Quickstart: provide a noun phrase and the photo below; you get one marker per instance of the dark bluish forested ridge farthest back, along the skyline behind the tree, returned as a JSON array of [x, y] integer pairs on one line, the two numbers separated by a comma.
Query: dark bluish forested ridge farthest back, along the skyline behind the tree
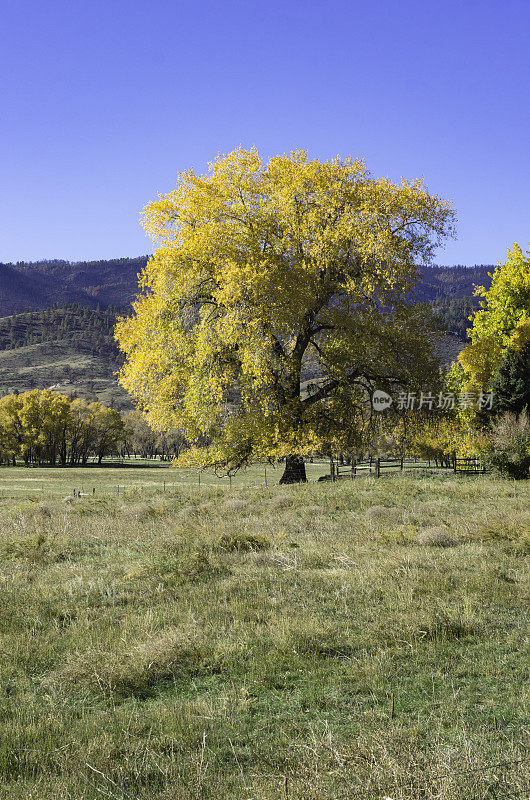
[[42, 284]]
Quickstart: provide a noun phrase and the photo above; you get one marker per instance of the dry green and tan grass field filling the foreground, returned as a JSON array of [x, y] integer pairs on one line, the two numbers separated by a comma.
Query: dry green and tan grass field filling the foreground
[[349, 640]]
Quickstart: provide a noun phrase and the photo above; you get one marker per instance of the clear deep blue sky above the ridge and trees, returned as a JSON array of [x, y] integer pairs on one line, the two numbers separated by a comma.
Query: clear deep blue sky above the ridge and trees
[[104, 102]]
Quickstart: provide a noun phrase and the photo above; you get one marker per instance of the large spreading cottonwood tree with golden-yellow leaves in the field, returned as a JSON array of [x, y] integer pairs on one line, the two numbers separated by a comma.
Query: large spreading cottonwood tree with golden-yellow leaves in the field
[[263, 271]]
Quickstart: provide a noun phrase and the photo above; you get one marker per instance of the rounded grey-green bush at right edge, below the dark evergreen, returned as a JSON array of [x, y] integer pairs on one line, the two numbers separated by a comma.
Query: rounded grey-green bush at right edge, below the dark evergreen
[[508, 449]]
